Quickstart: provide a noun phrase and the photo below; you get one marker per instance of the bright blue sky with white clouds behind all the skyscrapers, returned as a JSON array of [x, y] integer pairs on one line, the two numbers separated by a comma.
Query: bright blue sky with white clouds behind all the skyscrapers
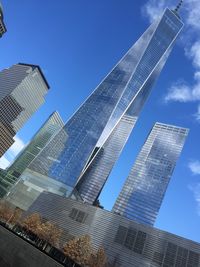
[[76, 43]]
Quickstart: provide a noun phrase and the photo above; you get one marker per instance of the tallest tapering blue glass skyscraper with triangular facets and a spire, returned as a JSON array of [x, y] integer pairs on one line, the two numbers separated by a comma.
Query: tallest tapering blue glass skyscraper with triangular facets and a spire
[[95, 120]]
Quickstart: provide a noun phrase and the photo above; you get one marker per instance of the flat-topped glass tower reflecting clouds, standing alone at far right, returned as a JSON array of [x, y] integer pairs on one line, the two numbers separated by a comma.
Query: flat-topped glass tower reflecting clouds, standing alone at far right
[[142, 194]]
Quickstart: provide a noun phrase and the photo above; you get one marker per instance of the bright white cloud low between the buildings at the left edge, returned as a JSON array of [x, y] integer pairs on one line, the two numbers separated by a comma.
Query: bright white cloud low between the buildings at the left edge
[[12, 152]]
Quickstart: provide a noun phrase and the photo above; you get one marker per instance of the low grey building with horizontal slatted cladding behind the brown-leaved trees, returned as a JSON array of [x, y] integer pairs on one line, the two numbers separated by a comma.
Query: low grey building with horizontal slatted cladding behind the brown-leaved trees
[[127, 243]]
